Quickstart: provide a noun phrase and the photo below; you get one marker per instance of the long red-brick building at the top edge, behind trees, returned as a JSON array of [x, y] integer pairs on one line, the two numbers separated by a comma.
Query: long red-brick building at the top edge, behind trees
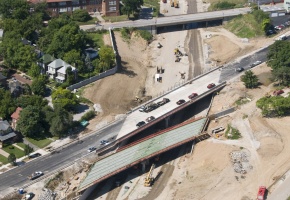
[[107, 7]]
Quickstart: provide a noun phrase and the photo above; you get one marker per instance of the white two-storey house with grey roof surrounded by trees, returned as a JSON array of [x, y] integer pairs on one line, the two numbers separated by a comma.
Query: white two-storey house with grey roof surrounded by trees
[[57, 70]]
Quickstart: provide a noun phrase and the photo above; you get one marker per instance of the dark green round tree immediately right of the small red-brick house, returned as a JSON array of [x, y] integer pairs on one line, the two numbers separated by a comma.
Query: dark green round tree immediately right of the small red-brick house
[[30, 122]]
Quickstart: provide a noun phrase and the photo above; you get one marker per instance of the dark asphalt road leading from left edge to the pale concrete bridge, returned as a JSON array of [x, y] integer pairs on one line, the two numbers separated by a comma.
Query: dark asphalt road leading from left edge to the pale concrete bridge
[[17, 177]]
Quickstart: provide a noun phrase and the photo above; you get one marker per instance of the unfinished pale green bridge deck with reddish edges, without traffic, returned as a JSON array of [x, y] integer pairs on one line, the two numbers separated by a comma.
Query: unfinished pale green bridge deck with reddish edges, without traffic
[[132, 155]]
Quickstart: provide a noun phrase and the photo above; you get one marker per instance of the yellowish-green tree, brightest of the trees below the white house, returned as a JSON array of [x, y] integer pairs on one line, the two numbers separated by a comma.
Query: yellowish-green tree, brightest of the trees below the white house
[[64, 98]]
